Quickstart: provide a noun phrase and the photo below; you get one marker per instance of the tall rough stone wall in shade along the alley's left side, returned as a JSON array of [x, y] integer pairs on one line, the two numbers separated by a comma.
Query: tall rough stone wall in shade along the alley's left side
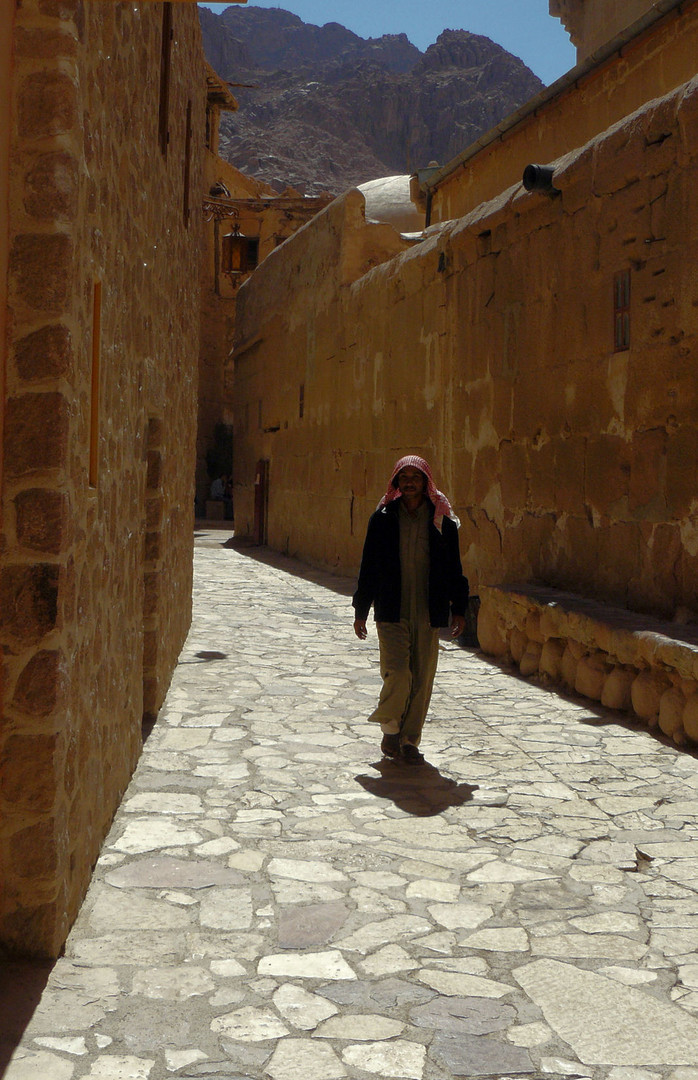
[[98, 496]]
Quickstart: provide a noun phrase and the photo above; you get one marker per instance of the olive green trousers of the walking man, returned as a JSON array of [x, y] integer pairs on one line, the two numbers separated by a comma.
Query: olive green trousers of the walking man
[[409, 657]]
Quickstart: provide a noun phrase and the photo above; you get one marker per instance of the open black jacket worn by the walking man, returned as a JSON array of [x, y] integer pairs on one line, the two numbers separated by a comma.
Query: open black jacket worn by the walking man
[[380, 575]]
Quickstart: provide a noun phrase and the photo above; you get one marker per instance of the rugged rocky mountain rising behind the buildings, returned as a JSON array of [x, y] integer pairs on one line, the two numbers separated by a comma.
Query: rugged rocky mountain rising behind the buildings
[[326, 110]]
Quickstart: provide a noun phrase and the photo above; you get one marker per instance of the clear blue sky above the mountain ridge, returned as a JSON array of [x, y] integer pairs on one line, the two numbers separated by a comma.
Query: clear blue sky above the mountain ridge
[[525, 28]]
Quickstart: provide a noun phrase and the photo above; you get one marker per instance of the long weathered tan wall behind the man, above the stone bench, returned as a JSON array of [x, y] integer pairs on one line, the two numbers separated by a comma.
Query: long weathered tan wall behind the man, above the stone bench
[[490, 349]]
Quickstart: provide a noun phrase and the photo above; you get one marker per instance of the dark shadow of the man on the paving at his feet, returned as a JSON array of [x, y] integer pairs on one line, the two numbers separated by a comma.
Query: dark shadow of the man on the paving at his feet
[[419, 790]]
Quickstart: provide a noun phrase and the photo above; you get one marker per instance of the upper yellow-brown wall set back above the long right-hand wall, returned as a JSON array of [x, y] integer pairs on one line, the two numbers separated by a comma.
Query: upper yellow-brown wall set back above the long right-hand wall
[[650, 67]]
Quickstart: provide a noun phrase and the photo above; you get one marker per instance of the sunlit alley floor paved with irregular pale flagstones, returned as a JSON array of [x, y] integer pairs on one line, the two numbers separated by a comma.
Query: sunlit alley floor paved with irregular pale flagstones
[[276, 901]]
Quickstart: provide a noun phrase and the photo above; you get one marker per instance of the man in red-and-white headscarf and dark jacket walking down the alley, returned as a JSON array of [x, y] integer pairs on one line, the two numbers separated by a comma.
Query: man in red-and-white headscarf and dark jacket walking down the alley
[[411, 573]]
